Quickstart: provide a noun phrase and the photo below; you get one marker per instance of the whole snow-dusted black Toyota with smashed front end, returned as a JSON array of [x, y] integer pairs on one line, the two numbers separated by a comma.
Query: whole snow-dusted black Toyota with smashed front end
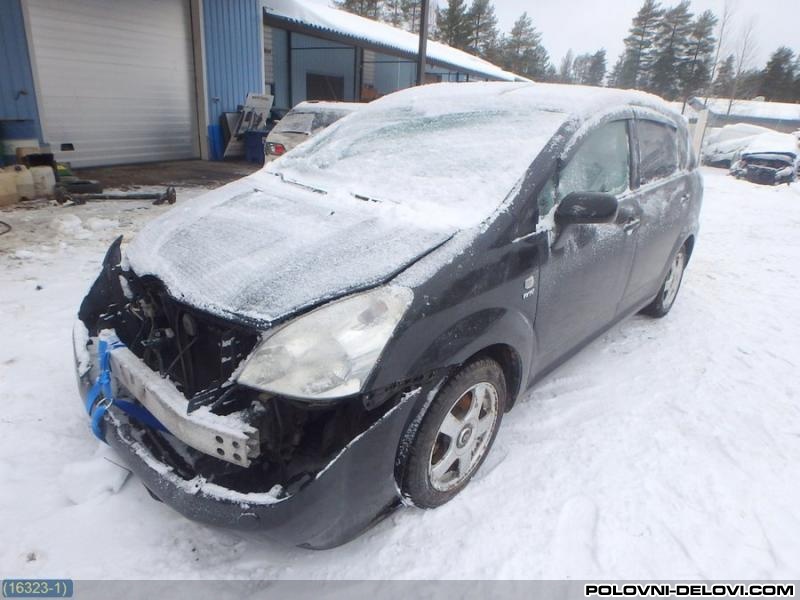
[[305, 349]]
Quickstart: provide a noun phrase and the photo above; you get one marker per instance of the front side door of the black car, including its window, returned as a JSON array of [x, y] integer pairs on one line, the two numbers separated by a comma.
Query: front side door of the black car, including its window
[[583, 276]]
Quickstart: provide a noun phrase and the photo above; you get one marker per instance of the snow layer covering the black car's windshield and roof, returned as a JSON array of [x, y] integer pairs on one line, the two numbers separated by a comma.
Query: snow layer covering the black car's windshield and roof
[[447, 154]]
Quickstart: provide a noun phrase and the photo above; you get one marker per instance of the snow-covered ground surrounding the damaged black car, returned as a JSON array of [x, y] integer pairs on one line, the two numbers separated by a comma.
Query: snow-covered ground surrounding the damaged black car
[[667, 449]]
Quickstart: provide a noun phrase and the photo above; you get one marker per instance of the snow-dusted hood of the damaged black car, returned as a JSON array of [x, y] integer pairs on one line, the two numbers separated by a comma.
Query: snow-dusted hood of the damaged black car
[[260, 249]]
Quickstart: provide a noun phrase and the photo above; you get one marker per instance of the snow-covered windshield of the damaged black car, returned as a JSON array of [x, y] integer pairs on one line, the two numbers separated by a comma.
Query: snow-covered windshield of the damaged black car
[[457, 162]]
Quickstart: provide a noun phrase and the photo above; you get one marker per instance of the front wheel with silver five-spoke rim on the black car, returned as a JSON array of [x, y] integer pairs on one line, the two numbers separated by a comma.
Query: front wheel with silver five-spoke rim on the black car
[[455, 434]]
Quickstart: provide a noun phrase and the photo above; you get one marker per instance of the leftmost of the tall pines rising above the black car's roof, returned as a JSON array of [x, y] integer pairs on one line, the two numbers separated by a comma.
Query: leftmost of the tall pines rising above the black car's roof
[[635, 67]]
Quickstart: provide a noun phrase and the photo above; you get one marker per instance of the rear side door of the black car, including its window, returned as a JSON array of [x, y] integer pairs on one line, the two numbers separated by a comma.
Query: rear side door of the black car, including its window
[[663, 196]]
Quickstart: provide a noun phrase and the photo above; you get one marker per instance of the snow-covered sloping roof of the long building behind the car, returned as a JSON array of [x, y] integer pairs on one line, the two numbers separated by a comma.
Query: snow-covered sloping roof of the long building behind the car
[[340, 22]]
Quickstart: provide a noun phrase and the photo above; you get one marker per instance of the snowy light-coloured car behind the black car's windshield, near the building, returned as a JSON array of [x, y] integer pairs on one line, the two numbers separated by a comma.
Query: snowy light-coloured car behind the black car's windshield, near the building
[[304, 121]]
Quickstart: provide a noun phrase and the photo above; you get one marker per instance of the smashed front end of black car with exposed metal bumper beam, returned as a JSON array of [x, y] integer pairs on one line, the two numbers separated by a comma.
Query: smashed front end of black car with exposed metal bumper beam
[[312, 473]]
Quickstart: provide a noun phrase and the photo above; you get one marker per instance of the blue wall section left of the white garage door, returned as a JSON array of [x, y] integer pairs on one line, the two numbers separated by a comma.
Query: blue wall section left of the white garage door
[[18, 114]]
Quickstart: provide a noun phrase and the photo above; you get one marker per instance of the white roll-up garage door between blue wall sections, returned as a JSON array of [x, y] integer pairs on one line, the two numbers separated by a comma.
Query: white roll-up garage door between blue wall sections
[[116, 79]]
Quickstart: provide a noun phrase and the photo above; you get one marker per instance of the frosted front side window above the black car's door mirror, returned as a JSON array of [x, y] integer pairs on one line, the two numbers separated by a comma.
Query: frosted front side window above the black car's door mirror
[[601, 164]]
